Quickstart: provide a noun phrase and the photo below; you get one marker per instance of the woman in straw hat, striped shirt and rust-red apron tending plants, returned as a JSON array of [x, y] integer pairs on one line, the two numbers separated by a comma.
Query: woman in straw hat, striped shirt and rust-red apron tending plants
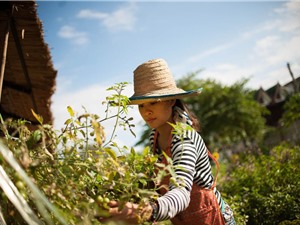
[[197, 201]]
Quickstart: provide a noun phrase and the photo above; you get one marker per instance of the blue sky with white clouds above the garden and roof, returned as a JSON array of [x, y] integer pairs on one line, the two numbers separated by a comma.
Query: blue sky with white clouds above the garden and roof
[[99, 43]]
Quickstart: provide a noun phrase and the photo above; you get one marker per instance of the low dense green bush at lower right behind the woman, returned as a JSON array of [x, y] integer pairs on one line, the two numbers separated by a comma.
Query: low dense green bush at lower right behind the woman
[[266, 188]]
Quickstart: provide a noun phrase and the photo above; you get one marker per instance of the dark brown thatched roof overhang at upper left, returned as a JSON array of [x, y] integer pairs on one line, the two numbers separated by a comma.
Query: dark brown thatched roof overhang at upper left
[[28, 76]]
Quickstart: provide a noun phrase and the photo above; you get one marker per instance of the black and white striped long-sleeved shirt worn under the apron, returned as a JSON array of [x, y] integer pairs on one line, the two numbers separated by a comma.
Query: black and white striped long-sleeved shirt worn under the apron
[[189, 153]]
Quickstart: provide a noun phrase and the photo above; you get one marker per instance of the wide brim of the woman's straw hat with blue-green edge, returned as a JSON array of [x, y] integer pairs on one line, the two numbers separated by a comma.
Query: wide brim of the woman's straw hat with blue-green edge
[[136, 100]]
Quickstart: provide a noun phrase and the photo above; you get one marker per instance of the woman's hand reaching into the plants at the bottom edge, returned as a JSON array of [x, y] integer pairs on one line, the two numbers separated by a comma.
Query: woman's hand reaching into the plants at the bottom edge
[[130, 213]]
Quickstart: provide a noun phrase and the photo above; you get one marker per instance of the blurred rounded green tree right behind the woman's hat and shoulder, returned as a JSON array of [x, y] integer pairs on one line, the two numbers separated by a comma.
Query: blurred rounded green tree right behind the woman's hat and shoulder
[[228, 114]]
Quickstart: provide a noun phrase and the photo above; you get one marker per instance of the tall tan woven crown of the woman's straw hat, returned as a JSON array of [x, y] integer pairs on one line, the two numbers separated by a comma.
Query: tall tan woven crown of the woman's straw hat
[[154, 78]]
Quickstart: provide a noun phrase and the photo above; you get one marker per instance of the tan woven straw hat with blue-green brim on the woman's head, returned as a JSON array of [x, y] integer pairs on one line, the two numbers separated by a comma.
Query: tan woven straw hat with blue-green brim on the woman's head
[[153, 81]]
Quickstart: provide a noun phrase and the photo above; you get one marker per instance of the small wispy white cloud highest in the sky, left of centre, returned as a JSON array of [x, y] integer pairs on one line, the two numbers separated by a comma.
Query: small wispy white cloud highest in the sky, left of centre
[[120, 19]]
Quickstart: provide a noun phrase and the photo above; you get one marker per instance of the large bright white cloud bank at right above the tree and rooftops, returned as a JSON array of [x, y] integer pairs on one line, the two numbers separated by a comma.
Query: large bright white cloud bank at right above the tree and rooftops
[[271, 47]]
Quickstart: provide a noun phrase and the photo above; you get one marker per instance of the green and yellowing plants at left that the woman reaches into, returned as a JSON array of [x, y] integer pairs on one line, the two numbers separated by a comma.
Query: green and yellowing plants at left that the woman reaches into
[[77, 169]]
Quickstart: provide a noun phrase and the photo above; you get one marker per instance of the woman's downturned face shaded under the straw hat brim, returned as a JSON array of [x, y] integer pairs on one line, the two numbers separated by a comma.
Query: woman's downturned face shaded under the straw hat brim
[[157, 114]]
